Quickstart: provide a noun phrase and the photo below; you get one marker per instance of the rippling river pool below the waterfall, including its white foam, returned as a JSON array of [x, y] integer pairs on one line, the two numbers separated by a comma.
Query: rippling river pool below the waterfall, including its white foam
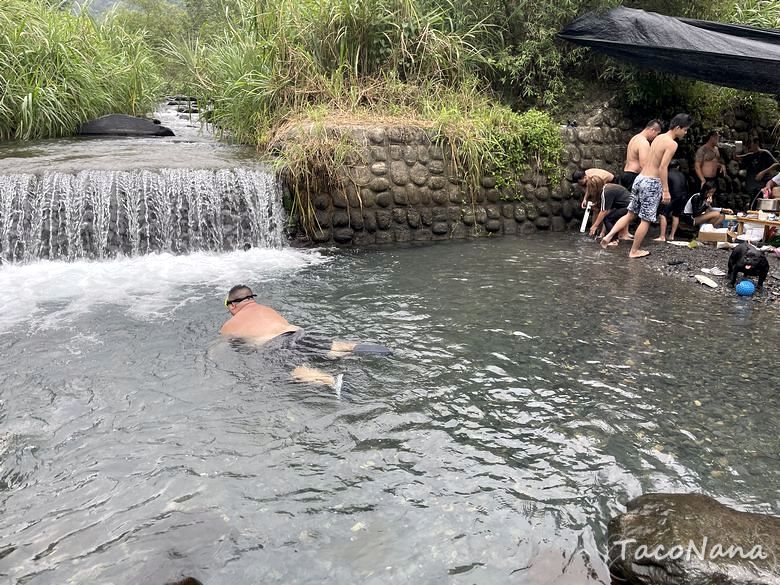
[[536, 385]]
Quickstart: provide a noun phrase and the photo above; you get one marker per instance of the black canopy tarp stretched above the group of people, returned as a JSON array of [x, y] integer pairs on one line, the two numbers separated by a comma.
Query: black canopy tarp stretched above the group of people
[[731, 55]]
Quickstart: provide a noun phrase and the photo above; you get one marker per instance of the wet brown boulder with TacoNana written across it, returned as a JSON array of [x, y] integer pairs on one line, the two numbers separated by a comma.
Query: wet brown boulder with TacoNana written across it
[[692, 539]]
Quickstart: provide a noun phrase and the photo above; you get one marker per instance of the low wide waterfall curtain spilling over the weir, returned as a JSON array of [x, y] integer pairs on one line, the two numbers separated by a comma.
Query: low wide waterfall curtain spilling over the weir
[[101, 214]]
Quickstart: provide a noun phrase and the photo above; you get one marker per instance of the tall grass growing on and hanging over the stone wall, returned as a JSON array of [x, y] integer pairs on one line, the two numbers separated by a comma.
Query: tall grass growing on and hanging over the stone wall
[[365, 61]]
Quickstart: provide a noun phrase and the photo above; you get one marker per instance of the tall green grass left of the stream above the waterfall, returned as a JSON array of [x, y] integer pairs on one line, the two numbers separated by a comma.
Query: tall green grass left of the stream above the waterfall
[[58, 70]]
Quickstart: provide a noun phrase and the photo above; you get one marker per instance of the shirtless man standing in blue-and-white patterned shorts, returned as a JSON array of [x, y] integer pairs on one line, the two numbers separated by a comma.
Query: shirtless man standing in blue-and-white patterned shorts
[[651, 186]]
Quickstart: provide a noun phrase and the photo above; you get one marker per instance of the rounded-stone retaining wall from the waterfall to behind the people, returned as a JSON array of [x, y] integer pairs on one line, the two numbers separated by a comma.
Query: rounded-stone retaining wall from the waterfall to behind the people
[[401, 187]]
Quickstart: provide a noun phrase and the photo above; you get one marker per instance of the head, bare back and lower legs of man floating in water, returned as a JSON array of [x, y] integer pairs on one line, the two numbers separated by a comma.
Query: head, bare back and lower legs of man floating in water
[[258, 324]]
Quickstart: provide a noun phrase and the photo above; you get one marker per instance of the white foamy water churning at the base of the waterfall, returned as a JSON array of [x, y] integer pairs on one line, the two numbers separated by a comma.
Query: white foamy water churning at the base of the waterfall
[[49, 294]]
